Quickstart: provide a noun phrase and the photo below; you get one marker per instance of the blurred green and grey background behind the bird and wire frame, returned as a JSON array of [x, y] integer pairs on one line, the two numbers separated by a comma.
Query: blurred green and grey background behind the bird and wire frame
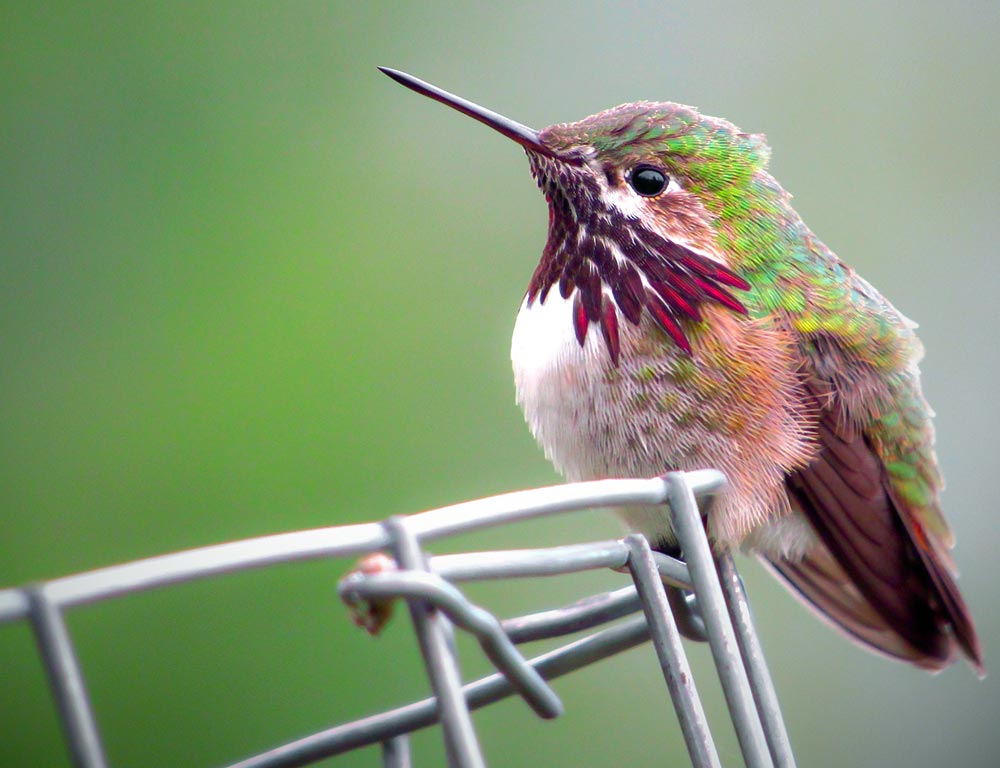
[[250, 285]]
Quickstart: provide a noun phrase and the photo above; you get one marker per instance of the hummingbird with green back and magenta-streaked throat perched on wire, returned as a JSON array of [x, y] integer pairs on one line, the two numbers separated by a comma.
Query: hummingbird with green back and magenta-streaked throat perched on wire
[[682, 316]]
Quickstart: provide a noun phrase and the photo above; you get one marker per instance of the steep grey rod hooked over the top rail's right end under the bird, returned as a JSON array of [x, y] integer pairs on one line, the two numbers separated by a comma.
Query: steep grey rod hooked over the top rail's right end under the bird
[[721, 637]]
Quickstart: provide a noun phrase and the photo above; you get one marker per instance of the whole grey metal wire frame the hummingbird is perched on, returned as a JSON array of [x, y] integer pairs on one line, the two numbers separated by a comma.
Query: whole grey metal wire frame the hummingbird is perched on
[[719, 612]]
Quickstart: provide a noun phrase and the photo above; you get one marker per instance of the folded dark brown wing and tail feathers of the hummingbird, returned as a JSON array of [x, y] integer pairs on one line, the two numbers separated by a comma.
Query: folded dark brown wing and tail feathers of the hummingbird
[[873, 552]]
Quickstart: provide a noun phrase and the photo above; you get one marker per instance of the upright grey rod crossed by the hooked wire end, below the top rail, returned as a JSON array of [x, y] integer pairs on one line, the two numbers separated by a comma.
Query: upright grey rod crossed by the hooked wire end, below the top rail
[[439, 659]]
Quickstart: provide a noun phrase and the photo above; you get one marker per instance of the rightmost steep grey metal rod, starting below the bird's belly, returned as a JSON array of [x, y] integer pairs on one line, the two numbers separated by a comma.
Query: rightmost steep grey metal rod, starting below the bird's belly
[[761, 683]]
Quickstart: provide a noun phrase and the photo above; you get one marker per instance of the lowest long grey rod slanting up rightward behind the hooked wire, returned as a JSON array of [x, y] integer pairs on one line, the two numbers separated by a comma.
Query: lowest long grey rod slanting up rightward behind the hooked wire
[[421, 714]]
